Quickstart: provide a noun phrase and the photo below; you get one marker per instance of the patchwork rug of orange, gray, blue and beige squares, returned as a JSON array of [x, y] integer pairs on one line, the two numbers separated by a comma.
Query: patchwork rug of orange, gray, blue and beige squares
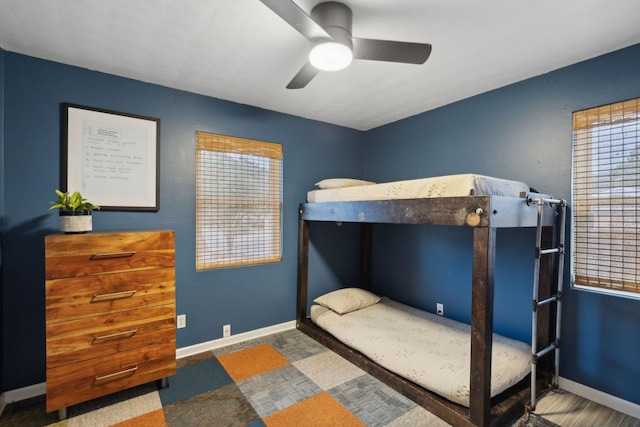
[[281, 380]]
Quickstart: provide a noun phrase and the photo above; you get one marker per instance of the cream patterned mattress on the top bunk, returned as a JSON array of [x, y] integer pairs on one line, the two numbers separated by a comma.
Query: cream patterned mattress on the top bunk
[[441, 186]]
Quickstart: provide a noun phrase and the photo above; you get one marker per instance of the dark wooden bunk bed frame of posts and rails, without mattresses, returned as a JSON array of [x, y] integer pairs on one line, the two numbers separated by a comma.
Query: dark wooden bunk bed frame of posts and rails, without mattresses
[[485, 214]]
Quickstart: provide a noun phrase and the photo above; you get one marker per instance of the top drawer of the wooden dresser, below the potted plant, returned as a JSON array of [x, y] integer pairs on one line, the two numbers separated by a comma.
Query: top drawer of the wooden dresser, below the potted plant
[[71, 255]]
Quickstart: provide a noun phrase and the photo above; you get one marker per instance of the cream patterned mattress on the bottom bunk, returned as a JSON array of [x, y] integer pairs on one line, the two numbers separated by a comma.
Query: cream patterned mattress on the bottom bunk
[[429, 350]]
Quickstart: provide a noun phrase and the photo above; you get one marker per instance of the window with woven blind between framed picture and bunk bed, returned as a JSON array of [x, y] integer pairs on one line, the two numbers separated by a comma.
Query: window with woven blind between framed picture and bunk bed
[[238, 201]]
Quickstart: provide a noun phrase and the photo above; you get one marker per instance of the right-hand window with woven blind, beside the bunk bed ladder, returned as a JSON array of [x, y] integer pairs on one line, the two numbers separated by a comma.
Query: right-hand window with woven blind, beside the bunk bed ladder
[[606, 192]]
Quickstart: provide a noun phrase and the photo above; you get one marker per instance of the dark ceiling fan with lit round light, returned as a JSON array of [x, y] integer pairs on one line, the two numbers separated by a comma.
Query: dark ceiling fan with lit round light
[[328, 27]]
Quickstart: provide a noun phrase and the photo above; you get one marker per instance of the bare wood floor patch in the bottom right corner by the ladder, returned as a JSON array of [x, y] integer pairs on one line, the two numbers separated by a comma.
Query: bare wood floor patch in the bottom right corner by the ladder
[[568, 410]]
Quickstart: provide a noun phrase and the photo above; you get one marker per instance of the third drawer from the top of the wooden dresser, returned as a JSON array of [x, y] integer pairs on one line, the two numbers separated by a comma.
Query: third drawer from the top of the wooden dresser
[[91, 337]]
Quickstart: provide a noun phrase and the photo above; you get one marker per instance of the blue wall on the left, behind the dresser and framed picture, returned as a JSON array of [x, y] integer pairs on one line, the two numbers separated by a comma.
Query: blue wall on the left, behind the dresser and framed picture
[[247, 298]]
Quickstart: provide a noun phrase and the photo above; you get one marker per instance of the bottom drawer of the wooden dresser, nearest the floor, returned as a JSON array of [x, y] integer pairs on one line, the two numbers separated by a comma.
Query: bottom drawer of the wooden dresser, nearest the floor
[[78, 382]]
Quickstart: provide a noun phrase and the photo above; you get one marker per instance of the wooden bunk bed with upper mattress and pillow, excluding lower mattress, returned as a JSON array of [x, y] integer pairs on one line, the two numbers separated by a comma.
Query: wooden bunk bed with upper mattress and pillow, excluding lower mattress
[[484, 204]]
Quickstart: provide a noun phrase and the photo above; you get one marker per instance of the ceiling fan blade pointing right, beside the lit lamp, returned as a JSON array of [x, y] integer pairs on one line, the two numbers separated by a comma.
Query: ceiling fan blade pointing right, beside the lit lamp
[[391, 51]]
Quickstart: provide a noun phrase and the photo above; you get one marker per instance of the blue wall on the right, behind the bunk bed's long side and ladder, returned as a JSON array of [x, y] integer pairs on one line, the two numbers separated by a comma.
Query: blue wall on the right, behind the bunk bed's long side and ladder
[[521, 132]]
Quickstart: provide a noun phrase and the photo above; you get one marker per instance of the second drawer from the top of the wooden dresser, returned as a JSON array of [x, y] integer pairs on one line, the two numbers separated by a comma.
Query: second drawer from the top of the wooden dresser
[[67, 299]]
